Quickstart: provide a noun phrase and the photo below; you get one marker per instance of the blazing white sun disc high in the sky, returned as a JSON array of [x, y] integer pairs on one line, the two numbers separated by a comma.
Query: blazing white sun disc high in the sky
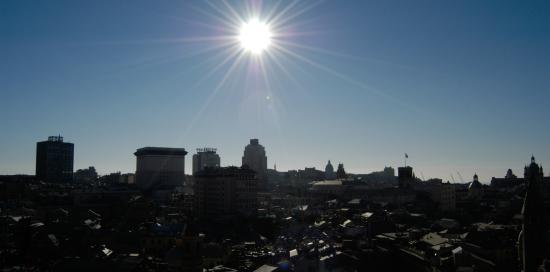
[[255, 36]]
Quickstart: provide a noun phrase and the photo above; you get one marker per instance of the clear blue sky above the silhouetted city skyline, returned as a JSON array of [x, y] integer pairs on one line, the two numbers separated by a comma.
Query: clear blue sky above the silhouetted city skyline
[[461, 86]]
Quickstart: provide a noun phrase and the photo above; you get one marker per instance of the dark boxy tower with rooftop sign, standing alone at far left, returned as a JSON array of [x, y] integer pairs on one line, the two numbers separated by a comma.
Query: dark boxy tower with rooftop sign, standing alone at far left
[[54, 160]]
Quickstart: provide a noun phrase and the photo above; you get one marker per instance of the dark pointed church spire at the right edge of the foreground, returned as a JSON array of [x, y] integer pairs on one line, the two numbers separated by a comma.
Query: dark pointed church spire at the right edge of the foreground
[[532, 238]]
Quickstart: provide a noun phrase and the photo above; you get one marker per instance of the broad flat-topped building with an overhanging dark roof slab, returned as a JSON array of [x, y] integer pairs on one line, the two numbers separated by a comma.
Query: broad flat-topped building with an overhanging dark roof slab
[[160, 167]]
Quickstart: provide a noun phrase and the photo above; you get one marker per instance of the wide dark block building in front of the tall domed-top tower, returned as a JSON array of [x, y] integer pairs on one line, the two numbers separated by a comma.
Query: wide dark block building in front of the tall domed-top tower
[[225, 192]]
